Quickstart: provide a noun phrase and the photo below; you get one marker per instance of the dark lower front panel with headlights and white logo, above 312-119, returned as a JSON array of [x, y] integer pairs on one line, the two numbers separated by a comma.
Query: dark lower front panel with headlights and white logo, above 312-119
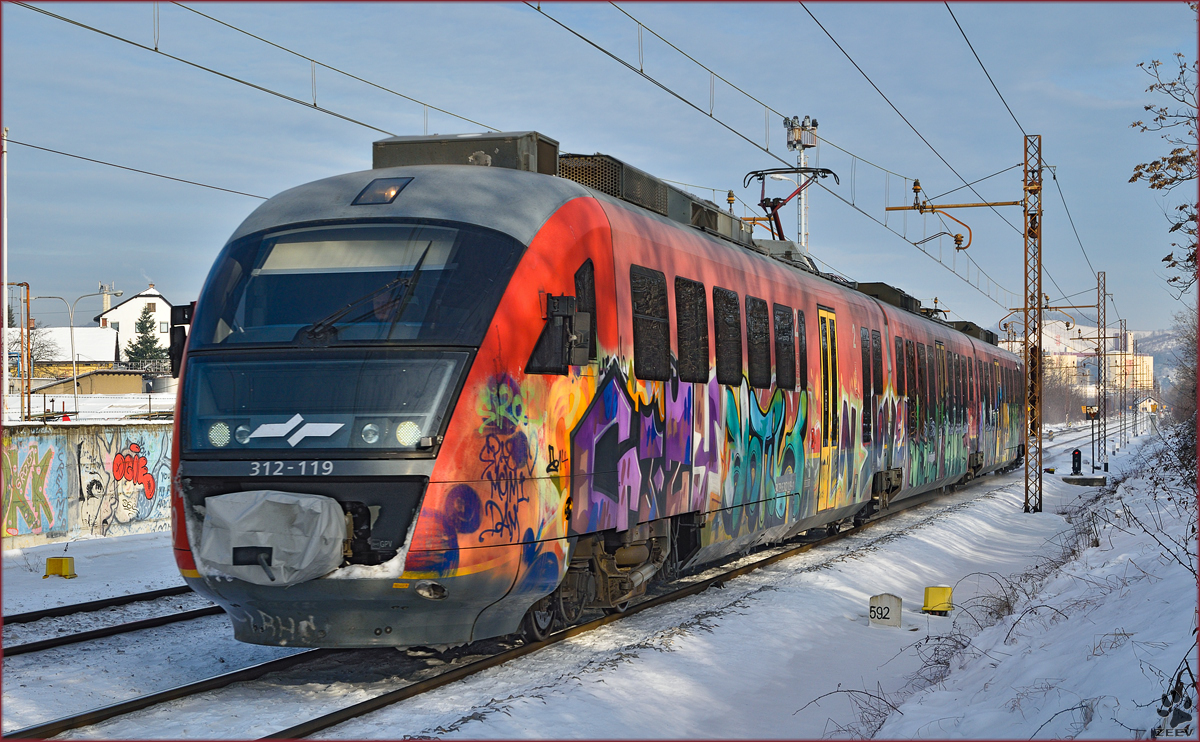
[[332, 400]]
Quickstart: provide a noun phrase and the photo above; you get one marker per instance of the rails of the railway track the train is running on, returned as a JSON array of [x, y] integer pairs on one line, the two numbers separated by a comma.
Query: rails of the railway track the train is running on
[[453, 674]]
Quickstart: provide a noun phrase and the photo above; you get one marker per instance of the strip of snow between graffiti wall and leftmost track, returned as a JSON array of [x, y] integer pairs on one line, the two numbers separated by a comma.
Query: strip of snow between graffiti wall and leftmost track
[[106, 567]]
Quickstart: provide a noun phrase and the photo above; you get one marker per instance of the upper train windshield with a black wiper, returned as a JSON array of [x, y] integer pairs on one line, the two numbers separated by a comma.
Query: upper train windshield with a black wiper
[[365, 283]]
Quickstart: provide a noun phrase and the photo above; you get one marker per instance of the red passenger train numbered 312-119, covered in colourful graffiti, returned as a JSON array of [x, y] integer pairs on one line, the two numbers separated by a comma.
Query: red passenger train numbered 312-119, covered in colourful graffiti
[[485, 386]]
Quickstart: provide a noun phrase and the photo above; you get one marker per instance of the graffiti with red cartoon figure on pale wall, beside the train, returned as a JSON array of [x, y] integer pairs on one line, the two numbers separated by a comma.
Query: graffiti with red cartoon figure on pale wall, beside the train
[[123, 481]]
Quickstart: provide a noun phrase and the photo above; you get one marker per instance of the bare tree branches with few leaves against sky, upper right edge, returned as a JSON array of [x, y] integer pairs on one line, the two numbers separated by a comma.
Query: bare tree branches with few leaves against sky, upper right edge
[[1177, 122]]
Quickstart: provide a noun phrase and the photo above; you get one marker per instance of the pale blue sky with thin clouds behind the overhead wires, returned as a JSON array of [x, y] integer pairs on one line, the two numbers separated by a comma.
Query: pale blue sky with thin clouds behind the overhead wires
[[1069, 73]]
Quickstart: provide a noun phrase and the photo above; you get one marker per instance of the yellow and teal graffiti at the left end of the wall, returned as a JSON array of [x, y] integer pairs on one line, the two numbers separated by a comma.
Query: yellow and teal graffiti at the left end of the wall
[[35, 492]]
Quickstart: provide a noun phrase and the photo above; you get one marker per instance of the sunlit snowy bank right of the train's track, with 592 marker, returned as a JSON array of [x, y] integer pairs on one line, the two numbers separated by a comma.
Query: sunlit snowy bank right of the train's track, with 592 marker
[[753, 662]]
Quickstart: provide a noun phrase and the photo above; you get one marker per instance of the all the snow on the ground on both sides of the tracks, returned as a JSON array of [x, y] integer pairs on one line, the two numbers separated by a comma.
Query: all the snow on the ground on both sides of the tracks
[[787, 651]]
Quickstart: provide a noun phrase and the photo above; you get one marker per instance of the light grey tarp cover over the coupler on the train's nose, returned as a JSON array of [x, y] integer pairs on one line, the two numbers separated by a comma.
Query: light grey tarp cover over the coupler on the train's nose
[[272, 538]]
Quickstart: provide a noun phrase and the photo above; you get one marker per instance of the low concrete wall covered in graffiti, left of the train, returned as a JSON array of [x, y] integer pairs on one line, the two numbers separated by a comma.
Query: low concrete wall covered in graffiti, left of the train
[[73, 481]]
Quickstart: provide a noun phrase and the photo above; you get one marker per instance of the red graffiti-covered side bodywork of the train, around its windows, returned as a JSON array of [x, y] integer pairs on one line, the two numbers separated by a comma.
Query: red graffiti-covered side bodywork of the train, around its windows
[[544, 458]]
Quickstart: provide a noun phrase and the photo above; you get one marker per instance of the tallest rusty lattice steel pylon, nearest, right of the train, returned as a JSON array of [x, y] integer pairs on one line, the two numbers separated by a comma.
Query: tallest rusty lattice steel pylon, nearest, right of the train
[[1033, 207]]
